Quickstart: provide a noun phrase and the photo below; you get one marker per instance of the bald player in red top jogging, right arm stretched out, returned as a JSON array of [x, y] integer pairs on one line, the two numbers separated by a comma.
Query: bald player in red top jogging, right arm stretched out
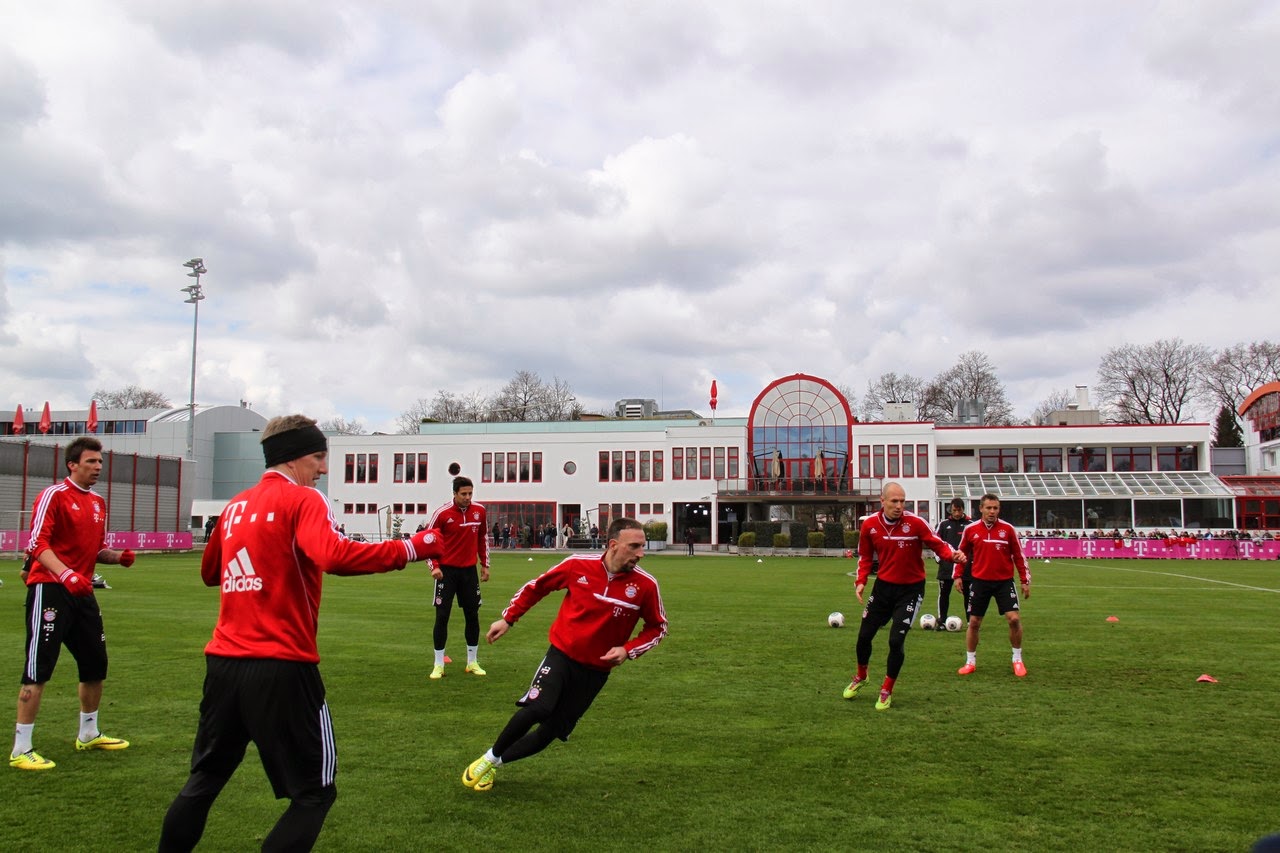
[[898, 539]]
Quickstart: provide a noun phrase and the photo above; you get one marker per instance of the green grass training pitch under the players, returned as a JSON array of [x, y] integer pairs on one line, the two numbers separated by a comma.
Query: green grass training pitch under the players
[[732, 736]]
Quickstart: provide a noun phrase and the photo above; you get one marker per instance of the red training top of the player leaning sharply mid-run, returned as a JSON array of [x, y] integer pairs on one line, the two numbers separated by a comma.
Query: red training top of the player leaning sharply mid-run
[[598, 612]]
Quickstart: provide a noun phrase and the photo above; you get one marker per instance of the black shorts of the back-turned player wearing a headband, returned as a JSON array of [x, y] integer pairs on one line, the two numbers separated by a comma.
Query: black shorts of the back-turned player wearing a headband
[[281, 708]]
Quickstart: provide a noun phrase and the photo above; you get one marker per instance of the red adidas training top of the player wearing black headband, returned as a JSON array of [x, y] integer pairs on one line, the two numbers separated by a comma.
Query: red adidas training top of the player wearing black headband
[[272, 548]]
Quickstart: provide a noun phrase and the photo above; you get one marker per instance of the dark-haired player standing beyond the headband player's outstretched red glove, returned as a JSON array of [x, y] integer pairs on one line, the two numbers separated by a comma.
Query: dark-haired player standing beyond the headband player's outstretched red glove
[[467, 540]]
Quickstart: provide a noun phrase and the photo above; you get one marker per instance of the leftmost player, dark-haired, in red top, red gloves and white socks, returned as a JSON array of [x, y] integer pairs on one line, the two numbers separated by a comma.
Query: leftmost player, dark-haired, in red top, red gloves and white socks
[[68, 536]]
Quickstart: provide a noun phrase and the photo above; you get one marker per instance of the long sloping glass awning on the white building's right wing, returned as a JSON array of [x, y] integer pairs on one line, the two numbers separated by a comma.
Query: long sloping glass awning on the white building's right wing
[[1080, 485]]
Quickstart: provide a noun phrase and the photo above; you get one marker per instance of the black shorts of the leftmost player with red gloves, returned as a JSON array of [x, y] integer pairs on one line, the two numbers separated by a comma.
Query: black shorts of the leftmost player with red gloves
[[57, 618]]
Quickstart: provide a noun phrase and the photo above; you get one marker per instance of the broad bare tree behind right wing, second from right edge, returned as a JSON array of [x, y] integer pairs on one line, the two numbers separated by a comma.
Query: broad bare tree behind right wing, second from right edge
[[1156, 384]]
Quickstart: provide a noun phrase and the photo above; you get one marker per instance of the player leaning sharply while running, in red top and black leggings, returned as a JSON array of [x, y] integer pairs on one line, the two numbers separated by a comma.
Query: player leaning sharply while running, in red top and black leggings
[[606, 597]]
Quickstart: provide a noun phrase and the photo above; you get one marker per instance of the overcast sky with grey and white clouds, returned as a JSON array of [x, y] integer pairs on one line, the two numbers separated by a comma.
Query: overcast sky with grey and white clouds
[[401, 197]]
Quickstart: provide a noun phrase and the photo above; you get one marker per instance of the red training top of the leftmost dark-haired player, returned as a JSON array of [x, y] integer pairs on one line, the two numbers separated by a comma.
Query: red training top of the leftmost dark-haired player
[[71, 522]]
